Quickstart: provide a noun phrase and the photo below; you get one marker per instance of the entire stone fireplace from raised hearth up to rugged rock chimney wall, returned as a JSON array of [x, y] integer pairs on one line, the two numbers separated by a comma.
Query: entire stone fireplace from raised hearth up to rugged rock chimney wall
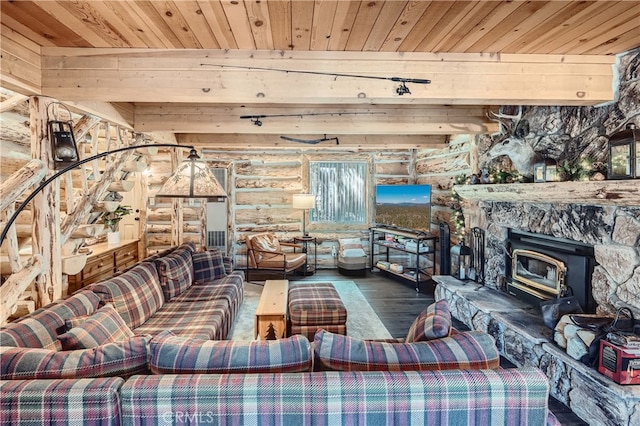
[[604, 216]]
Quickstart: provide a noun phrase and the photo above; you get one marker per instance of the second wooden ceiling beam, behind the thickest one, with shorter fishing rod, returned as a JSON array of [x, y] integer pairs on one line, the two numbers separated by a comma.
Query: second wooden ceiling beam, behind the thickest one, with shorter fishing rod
[[407, 120]]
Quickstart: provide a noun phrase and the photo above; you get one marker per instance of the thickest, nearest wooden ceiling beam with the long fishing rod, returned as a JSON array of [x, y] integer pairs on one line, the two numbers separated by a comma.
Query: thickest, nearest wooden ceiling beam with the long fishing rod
[[195, 76]]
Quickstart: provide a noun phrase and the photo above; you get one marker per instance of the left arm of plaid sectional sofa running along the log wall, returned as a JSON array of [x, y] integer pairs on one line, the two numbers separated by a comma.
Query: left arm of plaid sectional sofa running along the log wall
[[192, 294]]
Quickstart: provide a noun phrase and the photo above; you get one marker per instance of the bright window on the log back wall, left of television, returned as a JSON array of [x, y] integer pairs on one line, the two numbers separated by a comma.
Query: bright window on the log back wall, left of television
[[341, 192]]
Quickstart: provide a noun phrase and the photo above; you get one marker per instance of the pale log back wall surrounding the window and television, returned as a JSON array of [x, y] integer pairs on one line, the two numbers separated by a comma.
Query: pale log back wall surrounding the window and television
[[263, 181]]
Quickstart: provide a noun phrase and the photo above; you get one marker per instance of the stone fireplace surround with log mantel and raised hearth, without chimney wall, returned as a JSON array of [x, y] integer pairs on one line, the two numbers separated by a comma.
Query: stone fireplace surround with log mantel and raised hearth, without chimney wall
[[611, 227]]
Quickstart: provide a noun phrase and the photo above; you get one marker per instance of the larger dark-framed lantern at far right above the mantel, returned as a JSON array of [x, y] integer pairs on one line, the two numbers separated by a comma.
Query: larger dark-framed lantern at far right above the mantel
[[624, 154]]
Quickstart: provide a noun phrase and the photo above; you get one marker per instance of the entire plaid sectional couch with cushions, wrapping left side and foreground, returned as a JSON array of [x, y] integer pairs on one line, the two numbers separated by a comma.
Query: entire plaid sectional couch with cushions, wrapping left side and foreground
[[169, 364]]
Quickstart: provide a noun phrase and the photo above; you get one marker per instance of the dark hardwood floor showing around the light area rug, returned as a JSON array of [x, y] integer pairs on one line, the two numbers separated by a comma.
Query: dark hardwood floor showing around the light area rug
[[397, 305]]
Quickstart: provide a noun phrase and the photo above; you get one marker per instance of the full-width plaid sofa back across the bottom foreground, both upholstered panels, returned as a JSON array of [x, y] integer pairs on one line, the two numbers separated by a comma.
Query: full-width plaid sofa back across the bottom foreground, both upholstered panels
[[452, 397]]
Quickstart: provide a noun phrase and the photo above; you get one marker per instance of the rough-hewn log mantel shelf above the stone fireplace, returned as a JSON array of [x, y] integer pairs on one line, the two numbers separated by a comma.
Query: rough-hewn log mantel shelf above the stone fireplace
[[601, 193]]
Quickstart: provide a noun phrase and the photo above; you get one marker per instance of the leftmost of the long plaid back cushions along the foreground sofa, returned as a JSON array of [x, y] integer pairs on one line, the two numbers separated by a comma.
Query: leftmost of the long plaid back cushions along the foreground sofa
[[123, 359]]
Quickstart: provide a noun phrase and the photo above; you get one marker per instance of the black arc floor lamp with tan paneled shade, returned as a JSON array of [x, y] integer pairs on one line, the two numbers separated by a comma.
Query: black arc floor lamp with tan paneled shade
[[192, 179]]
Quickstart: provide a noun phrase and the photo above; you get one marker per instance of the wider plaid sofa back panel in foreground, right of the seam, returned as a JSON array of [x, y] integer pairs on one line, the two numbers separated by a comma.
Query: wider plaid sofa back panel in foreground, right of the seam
[[454, 397]]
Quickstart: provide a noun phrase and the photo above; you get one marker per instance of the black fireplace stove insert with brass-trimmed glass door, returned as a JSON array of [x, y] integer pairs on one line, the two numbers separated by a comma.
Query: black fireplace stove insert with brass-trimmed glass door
[[540, 267]]
